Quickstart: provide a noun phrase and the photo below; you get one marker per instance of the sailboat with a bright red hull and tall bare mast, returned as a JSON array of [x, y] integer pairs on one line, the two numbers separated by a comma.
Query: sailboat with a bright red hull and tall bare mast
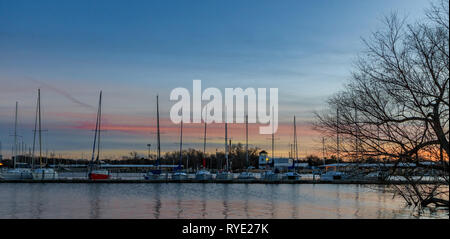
[[95, 172]]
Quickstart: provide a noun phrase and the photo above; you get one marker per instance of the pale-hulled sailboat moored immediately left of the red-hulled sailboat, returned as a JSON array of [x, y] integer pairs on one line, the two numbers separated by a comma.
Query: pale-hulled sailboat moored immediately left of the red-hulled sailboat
[[41, 172]]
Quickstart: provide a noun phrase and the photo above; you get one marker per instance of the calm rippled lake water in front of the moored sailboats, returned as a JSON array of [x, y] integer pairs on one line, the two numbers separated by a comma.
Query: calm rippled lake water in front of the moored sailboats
[[172, 200]]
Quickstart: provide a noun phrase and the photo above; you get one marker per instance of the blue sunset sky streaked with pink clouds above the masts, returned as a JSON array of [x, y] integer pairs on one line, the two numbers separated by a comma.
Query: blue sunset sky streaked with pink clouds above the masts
[[135, 50]]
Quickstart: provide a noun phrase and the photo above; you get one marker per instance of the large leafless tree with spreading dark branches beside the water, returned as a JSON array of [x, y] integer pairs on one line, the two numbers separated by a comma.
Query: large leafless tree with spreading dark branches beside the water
[[396, 104]]
